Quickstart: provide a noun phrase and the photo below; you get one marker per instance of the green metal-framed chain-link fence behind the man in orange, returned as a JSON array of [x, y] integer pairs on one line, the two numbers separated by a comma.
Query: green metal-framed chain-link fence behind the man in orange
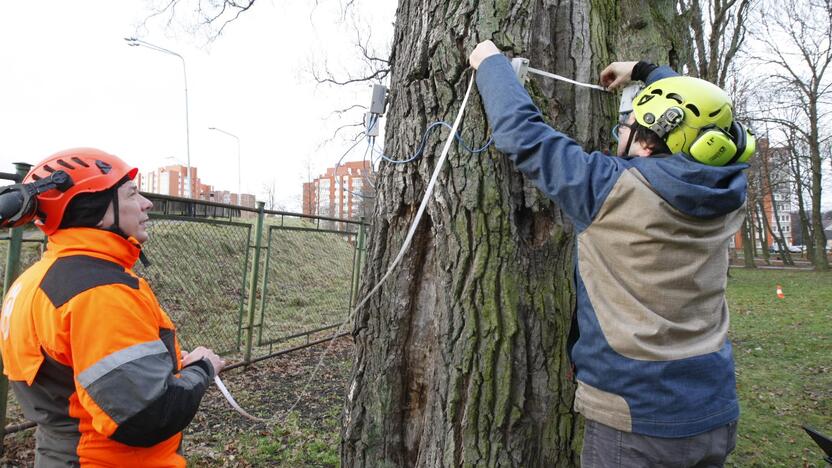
[[205, 257]]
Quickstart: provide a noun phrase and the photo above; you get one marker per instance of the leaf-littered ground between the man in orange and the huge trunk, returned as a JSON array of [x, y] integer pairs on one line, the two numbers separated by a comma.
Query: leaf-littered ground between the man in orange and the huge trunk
[[307, 436]]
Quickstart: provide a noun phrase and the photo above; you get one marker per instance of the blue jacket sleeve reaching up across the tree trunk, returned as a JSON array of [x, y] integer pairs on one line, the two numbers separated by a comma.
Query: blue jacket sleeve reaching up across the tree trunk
[[578, 181]]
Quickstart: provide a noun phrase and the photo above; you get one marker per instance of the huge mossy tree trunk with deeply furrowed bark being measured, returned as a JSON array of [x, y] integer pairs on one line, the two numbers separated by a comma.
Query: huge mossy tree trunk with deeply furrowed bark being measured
[[461, 356]]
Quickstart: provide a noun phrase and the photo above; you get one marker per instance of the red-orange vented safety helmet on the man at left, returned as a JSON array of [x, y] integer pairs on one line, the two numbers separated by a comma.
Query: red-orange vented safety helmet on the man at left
[[91, 170]]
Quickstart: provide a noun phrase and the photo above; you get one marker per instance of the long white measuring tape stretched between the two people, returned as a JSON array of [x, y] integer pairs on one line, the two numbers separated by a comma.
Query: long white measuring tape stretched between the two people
[[408, 239]]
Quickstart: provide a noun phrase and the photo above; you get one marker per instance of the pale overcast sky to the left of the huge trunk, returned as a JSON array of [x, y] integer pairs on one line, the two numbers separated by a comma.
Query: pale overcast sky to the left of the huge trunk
[[69, 79]]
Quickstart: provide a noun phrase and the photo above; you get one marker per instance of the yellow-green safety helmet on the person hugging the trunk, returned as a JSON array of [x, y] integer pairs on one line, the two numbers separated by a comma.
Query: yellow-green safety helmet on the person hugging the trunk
[[680, 108]]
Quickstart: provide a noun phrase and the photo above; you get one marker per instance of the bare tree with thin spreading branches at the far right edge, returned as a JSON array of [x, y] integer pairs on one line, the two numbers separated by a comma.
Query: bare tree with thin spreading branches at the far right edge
[[798, 48]]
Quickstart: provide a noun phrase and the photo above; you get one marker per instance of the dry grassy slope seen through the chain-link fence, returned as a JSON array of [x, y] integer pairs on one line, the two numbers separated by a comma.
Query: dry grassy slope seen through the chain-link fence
[[198, 275]]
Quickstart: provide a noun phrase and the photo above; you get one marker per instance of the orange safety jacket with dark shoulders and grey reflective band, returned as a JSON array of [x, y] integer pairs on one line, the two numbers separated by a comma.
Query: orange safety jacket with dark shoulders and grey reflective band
[[94, 360]]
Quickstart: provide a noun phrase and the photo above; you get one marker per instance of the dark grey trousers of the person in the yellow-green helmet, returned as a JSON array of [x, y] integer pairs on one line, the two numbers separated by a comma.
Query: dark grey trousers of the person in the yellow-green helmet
[[605, 447]]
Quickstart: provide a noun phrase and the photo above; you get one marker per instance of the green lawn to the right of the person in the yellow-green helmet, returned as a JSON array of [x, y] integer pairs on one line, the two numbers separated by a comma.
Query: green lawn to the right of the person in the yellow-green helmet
[[783, 352]]
